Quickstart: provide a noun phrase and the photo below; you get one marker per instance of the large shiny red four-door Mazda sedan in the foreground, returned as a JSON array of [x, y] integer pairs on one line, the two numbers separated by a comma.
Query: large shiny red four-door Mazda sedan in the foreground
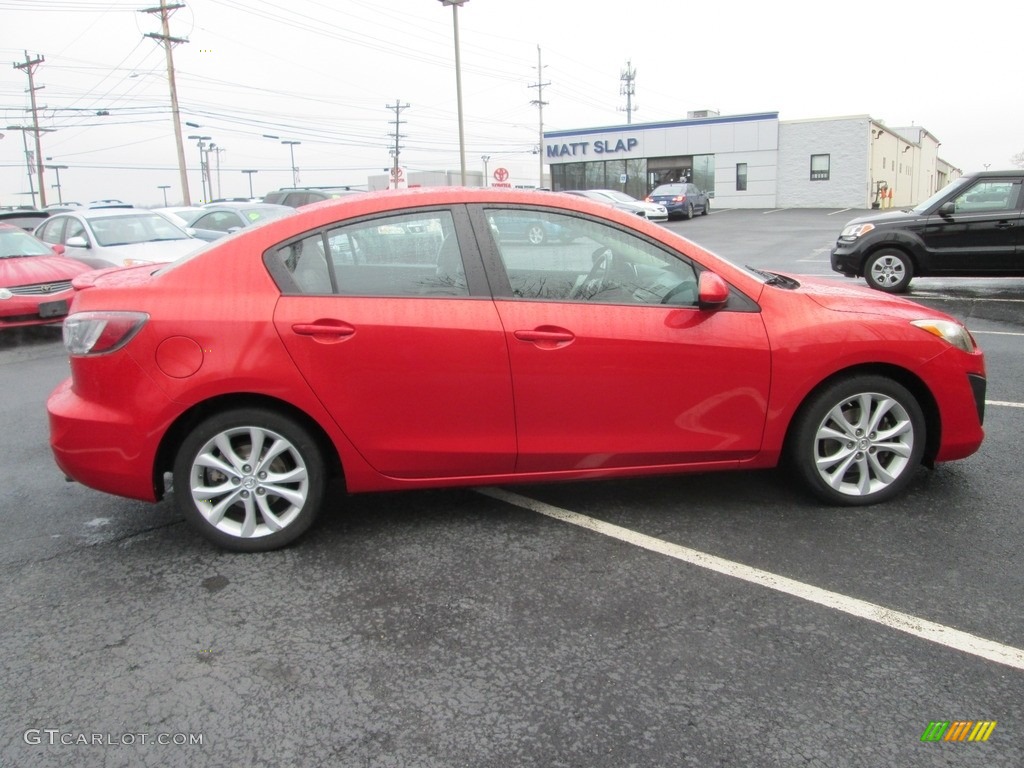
[[398, 340]]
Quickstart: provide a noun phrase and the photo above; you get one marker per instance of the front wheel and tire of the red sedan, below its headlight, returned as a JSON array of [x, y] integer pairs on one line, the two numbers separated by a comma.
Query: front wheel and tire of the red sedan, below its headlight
[[869, 455]]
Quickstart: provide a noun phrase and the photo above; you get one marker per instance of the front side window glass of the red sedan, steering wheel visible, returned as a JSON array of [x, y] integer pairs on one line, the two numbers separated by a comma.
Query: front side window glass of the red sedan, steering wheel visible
[[550, 257]]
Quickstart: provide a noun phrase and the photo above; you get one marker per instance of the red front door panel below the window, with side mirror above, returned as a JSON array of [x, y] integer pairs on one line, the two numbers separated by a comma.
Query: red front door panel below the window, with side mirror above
[[604, 386]]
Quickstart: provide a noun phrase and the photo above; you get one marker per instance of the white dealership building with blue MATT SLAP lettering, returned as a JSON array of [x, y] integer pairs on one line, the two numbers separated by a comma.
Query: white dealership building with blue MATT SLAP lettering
[[756, 161]]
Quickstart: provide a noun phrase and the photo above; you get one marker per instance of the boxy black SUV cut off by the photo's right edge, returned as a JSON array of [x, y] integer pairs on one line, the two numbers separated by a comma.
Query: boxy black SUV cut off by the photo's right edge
[[972, 228]]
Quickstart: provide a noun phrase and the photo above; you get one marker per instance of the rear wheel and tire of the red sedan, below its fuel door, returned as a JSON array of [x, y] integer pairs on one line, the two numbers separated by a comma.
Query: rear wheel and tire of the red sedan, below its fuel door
[[244, 505]]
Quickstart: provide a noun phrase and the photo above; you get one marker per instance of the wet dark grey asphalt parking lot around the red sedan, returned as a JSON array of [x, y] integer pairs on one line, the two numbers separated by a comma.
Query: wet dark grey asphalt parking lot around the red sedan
[[719, 620]]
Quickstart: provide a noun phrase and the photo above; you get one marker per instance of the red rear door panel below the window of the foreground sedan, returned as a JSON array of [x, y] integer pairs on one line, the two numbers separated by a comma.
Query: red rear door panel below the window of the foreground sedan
[[420, 387]]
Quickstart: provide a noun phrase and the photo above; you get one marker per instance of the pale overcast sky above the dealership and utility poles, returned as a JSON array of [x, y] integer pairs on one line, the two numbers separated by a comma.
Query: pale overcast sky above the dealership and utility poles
[[323, 73]]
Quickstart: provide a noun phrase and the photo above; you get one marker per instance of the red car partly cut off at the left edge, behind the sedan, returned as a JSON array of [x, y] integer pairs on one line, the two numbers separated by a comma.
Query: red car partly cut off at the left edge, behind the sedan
[[35, 280]]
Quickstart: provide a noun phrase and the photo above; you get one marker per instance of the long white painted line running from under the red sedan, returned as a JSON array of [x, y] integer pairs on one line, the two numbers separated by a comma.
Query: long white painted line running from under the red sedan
[[936, 633]]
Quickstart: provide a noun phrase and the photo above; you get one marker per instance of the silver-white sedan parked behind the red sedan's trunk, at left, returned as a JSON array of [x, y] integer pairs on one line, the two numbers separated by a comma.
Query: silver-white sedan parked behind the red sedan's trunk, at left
[[117, 237]]
